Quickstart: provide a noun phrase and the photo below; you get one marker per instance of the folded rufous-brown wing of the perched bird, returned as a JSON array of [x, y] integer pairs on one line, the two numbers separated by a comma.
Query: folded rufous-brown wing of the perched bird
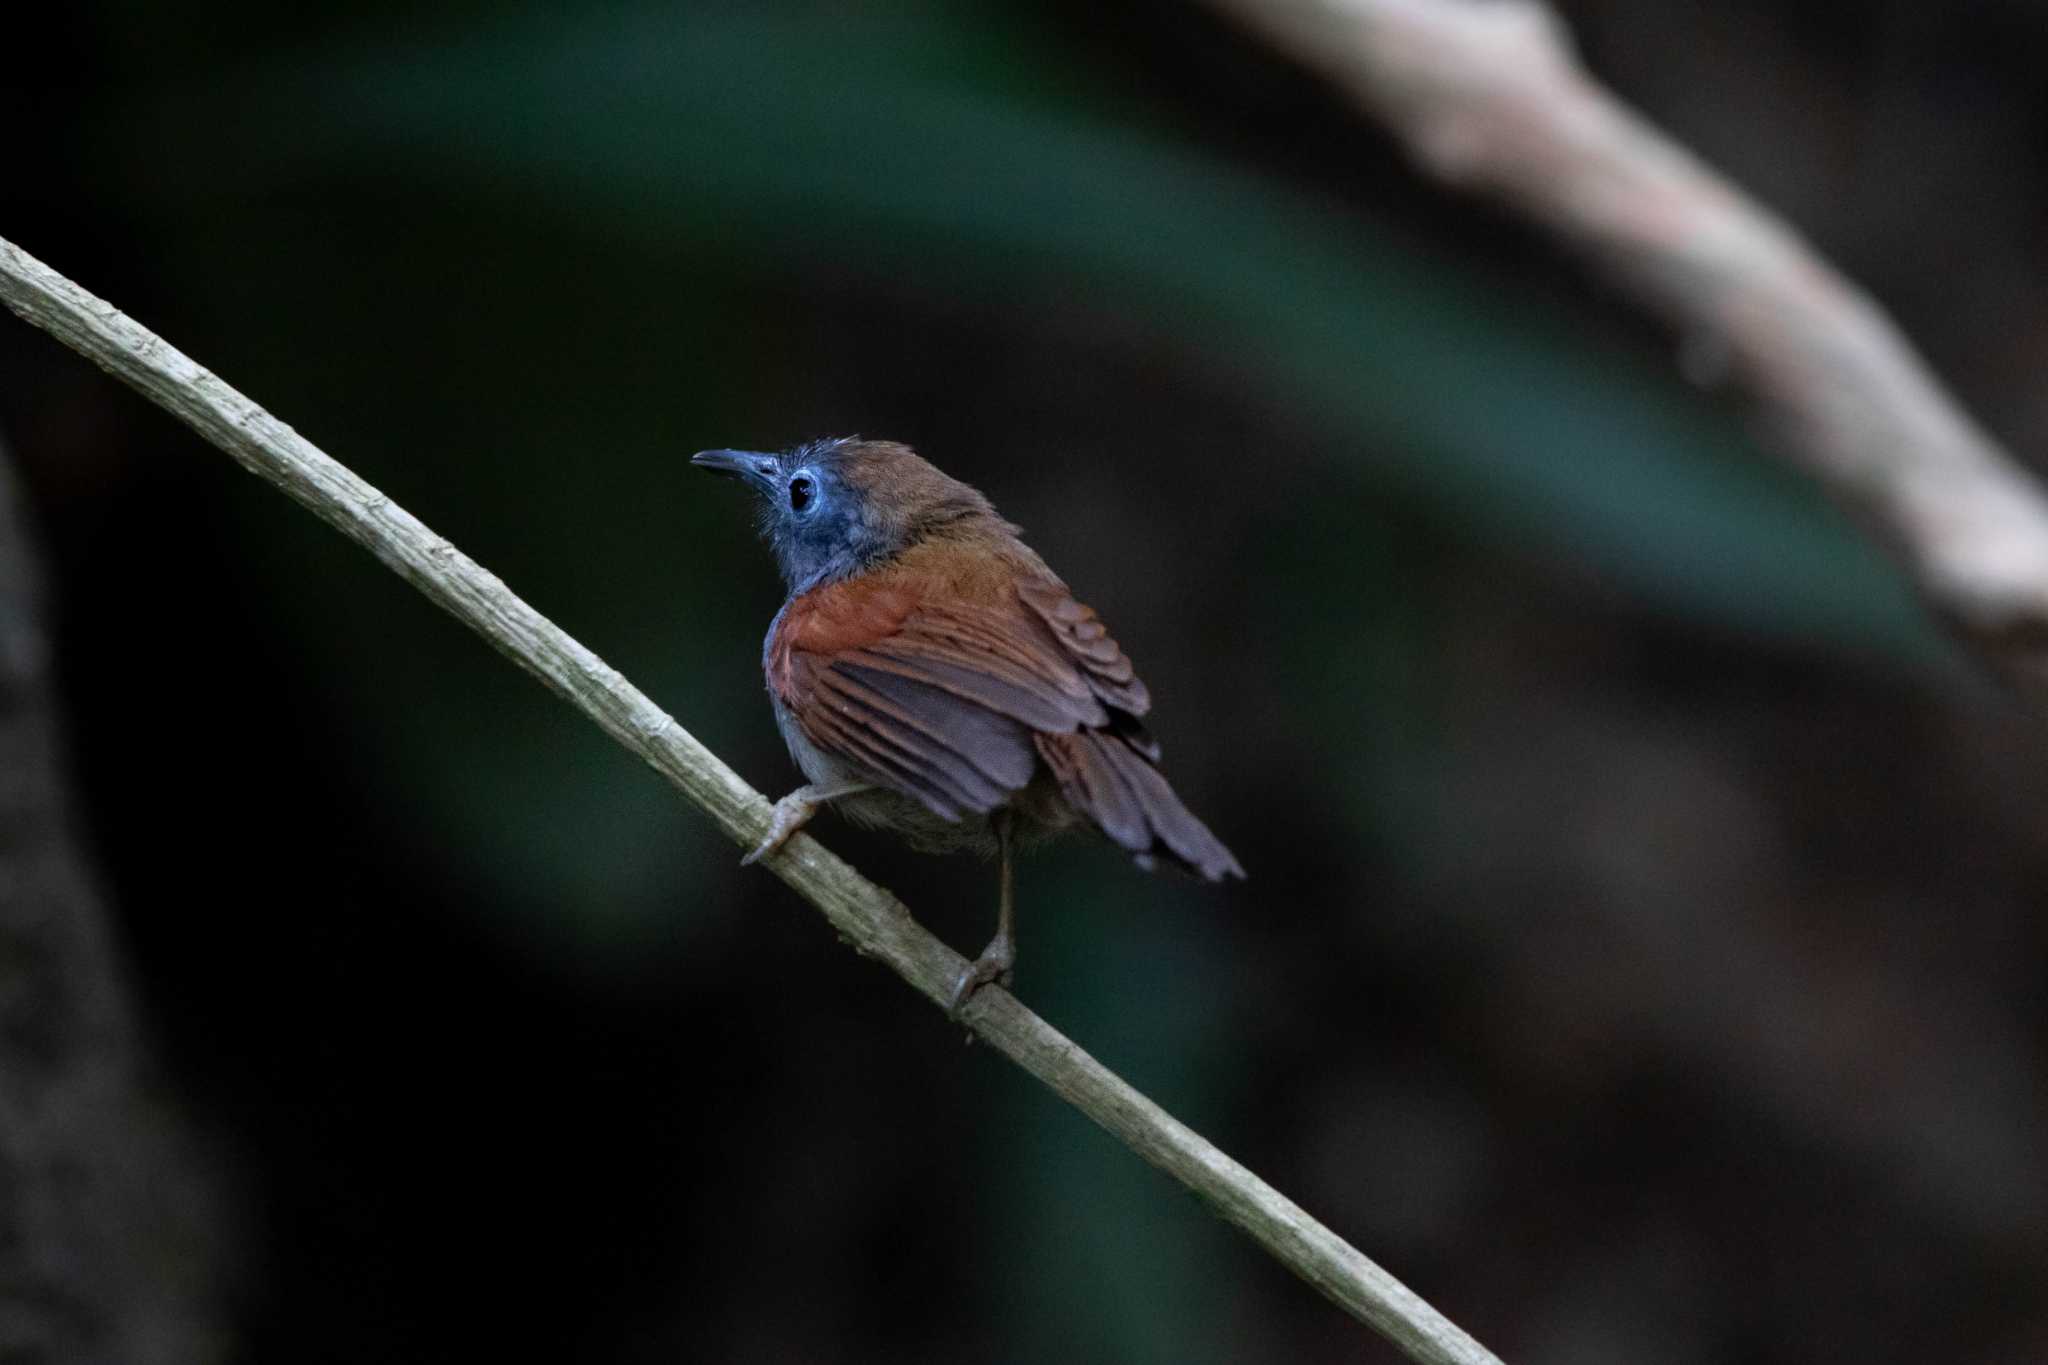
[[941, 699]]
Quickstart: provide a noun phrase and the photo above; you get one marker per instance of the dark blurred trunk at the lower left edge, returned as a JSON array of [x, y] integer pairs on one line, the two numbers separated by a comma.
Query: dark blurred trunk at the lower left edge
[[110, 1239]]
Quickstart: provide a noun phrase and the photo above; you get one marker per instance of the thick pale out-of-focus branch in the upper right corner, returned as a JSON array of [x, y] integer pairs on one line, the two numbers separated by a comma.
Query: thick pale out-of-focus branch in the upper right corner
[[1488, 97]]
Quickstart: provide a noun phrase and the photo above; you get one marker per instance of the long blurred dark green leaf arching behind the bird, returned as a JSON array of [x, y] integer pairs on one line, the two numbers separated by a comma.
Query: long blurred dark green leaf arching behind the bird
[[949, 150]]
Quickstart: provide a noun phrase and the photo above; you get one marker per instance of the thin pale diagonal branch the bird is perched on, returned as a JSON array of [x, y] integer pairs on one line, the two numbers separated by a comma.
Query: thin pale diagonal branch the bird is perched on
[[869, 918]]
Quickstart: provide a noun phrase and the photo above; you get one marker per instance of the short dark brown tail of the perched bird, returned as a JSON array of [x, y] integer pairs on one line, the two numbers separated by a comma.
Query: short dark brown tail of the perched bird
[[1117, 787]]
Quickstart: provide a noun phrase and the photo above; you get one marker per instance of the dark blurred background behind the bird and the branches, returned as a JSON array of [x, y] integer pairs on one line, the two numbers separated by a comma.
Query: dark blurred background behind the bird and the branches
[[1644, 951]]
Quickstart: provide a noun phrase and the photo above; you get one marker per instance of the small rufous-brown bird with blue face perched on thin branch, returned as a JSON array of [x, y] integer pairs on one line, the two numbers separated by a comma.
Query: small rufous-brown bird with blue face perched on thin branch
[[933, 676]]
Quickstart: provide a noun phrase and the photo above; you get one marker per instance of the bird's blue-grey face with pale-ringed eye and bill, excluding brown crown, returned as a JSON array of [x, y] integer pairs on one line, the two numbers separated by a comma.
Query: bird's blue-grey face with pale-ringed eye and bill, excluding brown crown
[[812, 519]]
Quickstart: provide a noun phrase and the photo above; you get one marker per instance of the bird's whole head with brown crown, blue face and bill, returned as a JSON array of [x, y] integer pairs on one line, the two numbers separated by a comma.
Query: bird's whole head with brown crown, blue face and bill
[[833, 509]]
